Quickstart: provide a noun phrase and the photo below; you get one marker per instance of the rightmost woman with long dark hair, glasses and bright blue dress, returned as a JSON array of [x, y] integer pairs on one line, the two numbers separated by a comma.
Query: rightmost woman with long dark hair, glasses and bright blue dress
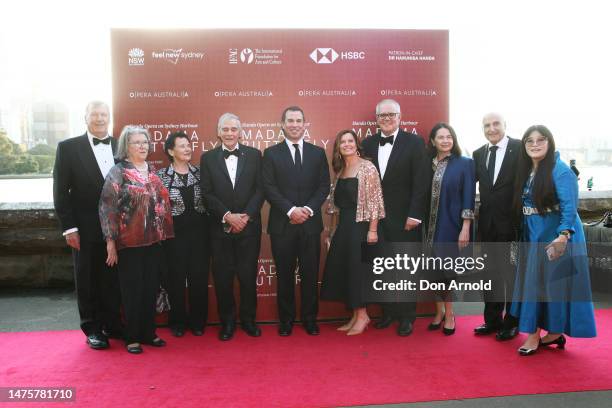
[[552, 290]]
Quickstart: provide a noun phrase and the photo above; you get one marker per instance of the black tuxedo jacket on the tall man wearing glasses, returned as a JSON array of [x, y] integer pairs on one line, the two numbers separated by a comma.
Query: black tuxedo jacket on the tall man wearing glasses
[[404, 184]]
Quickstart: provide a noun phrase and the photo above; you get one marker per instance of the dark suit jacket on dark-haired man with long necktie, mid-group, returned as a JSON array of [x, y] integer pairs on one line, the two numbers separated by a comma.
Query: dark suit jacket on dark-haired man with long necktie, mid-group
[[285, 186]]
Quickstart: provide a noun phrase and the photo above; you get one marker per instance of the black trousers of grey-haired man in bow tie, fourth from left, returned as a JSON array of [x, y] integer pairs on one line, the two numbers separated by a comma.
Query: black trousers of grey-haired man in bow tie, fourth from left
[[236, 256]]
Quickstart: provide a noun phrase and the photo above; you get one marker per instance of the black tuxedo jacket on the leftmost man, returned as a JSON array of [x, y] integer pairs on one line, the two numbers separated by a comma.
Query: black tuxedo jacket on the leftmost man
[[77, 184]]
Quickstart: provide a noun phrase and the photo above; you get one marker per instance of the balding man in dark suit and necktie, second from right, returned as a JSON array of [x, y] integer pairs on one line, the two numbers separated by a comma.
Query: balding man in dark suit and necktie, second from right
[[496, 164]]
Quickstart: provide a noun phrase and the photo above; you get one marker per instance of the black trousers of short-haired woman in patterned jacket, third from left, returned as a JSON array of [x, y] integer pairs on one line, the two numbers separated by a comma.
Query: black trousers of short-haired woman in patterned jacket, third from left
[[188, 262]]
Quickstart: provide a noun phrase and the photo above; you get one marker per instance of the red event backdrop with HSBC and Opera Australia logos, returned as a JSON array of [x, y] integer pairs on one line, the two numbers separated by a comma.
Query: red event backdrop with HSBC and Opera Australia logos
[[169, 80]]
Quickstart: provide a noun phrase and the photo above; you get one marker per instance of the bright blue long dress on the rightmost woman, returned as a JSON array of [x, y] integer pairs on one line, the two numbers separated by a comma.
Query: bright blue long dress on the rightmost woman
[[554, 295]]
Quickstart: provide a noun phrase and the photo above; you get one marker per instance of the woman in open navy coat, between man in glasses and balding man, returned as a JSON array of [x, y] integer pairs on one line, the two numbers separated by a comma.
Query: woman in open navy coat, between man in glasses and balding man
[[451, 210]]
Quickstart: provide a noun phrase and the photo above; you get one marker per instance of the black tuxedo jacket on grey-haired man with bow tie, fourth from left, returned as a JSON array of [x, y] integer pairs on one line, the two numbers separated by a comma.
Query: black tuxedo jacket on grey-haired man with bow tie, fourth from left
[[220, 196]]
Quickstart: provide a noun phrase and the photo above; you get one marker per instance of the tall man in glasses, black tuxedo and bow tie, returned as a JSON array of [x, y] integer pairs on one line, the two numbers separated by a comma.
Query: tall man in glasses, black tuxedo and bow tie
[[398, 156]]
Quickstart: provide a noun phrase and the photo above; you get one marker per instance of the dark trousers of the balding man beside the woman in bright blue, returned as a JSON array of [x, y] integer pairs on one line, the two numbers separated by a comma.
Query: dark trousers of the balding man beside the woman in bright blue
[[502, 281]]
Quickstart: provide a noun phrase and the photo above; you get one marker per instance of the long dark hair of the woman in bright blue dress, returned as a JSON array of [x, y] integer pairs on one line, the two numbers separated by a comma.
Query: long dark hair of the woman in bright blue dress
[[543, 189]]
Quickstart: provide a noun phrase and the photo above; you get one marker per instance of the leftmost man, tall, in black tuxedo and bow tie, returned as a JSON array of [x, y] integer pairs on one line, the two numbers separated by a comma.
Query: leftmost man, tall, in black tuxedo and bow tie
[[81, 164]]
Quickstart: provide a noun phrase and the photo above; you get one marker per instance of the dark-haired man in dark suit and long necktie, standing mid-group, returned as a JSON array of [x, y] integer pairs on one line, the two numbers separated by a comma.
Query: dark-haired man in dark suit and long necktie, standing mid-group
[[296, 183]]
